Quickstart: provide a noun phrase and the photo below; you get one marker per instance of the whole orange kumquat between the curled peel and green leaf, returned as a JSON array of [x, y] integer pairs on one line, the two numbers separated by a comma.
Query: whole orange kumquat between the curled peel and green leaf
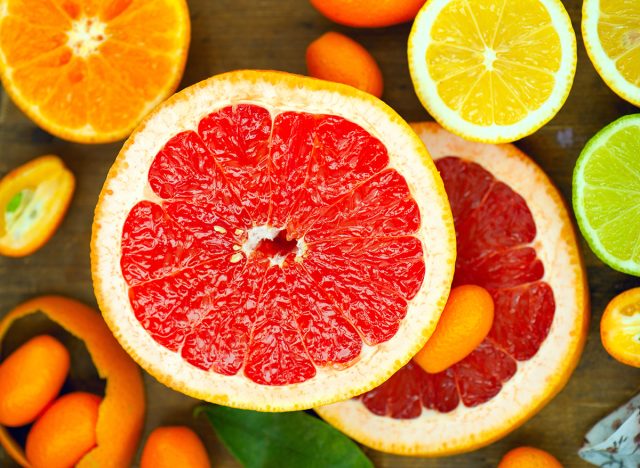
[[174, 446]]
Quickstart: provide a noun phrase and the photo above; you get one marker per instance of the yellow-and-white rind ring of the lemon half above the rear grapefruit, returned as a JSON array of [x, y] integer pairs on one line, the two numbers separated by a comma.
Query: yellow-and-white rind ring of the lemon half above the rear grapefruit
[[427, 91]]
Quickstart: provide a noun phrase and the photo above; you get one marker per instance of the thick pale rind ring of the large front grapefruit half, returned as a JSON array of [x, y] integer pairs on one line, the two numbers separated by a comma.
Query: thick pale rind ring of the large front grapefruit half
[[277, 92]]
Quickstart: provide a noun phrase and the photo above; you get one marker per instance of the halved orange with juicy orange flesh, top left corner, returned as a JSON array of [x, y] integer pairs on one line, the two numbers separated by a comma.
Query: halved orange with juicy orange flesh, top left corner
[[89, 71]]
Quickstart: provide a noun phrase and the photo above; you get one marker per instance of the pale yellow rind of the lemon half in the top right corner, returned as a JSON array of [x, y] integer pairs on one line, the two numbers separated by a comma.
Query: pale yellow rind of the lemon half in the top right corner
[[605, 66]]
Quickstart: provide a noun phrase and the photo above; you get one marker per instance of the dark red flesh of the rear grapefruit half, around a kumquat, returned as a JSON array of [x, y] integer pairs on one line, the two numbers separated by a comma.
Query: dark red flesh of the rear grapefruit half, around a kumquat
[[495, 229]]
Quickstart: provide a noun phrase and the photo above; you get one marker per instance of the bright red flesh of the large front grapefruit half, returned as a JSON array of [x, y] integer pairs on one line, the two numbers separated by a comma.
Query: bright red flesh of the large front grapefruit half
[[356, 219]]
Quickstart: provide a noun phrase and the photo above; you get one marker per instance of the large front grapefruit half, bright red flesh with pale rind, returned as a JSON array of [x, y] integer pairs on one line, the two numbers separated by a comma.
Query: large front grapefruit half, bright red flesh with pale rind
[[270, 241]]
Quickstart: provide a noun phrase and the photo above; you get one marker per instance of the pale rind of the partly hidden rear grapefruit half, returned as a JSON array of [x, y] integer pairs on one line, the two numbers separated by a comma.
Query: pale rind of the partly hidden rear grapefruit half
[[536, 381]]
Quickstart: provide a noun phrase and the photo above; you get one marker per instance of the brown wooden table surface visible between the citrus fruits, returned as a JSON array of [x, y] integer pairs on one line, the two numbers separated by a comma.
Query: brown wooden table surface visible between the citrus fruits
[[273, 34]]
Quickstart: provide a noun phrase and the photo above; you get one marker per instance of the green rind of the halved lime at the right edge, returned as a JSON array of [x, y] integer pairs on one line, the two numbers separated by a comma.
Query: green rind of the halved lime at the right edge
[[600, 140]]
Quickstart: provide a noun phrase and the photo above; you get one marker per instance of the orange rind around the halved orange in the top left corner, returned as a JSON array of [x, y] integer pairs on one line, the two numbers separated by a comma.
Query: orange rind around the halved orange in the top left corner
[[88, 134]]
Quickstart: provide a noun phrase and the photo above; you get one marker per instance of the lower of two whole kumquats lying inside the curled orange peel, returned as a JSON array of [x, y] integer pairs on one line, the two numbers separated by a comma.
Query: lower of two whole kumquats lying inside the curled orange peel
[[65, 432]]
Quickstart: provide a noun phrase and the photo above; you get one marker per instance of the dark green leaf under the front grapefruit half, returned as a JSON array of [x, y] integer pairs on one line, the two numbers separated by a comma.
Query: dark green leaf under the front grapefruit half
[[282, 440]]
